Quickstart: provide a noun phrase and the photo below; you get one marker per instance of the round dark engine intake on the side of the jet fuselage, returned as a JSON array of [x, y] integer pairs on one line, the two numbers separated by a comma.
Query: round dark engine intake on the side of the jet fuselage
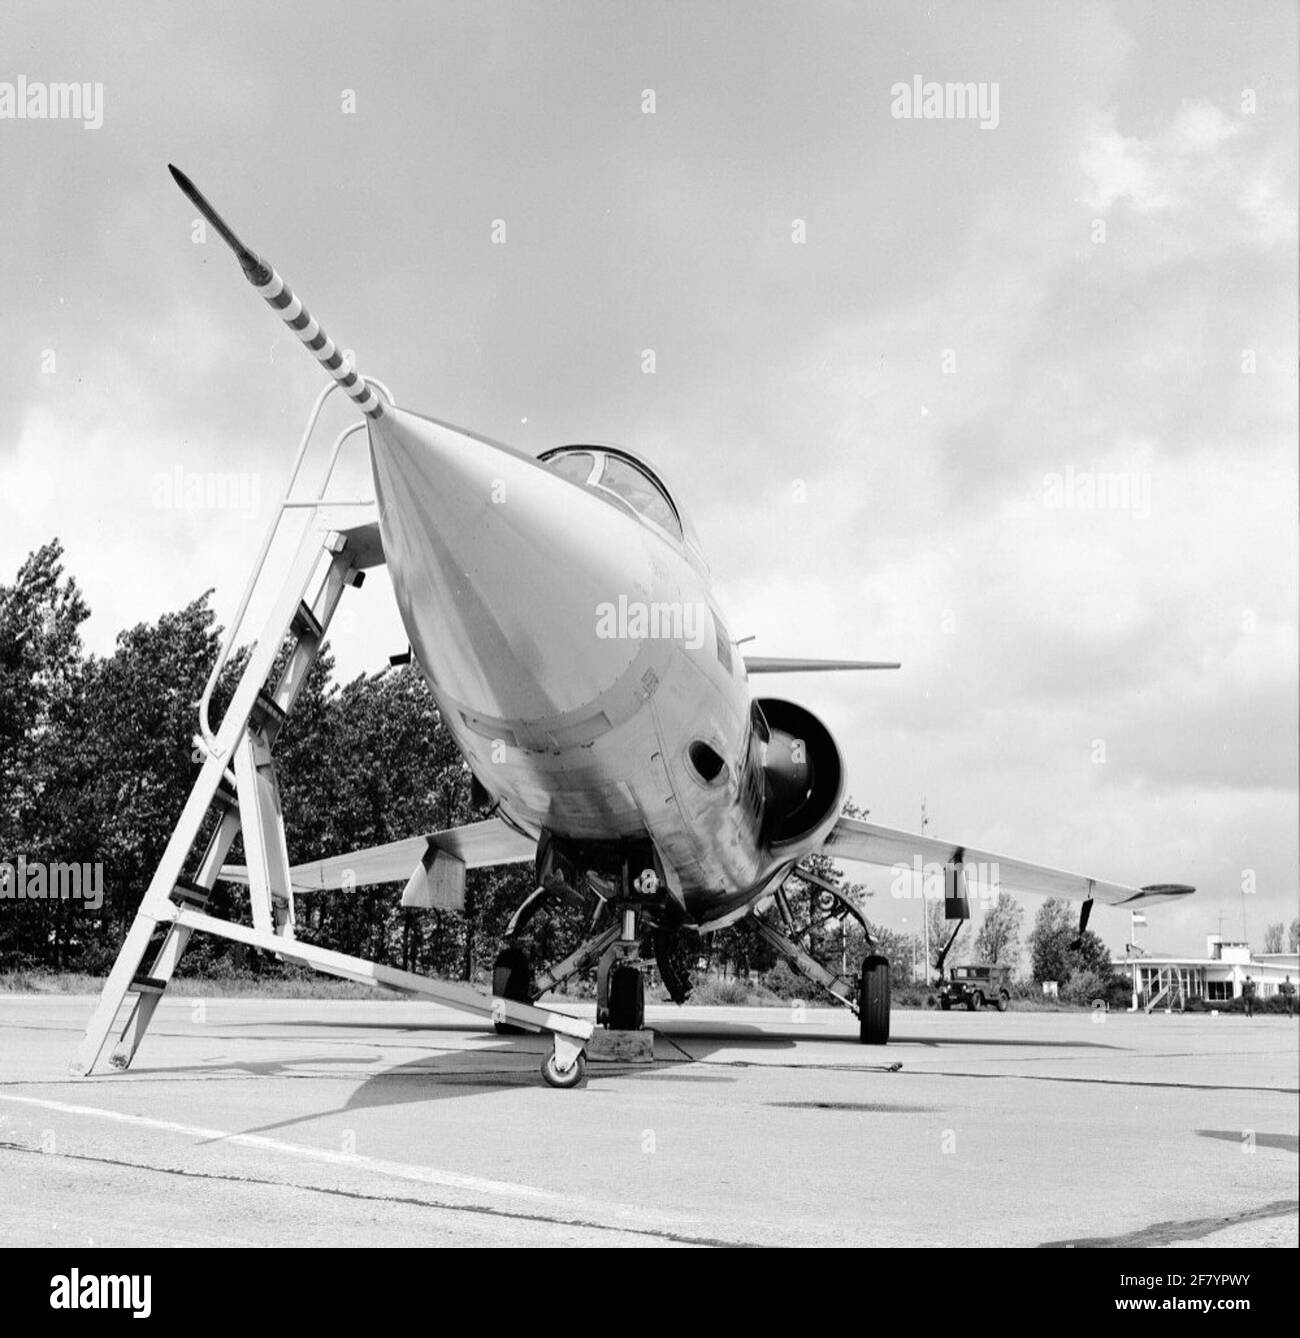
[[804, 774]]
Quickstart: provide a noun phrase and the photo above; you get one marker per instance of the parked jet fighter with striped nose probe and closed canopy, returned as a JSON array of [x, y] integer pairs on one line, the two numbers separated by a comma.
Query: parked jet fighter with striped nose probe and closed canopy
[[562, 613]]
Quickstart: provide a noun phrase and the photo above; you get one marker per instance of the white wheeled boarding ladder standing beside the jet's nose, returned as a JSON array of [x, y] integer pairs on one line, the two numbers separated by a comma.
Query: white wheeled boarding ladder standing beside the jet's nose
[[239, 787]]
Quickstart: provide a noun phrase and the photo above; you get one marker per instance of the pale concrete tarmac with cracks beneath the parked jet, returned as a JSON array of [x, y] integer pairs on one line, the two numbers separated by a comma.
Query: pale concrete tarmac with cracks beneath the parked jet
[[304, 1122]]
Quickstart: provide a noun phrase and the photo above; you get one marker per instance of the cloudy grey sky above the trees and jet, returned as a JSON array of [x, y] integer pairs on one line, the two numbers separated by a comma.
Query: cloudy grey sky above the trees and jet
[[898, 361]]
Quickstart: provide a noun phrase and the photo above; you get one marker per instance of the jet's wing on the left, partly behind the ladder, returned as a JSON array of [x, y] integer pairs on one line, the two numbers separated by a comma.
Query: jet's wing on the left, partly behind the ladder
[[477, 846]]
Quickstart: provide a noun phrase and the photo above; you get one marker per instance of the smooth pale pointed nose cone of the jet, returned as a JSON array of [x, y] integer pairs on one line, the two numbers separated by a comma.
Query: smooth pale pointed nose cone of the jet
[[500, 568]]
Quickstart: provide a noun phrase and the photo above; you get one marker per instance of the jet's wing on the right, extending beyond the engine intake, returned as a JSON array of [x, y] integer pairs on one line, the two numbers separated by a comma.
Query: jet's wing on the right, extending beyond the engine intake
[[866, 844]]
